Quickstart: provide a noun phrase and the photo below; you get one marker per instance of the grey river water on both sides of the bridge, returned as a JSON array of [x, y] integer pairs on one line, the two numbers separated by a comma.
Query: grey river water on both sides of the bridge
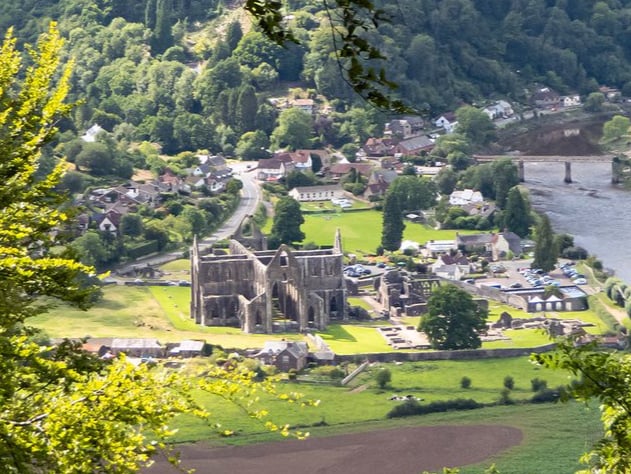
[[595, 212]]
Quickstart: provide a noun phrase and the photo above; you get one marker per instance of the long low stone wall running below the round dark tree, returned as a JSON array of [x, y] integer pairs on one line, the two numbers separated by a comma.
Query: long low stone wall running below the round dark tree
[[470, 354]]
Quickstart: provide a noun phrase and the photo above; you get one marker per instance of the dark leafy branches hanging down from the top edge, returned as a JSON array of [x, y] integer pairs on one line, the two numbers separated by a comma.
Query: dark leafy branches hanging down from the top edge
[[360, 62]]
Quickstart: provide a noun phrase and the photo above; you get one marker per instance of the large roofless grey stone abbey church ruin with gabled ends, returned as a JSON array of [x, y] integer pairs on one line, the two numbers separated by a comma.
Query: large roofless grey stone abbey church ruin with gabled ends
[[265, 291]]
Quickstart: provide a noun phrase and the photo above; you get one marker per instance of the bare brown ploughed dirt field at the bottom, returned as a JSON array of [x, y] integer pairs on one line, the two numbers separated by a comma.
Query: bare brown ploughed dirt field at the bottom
[[400, 451]]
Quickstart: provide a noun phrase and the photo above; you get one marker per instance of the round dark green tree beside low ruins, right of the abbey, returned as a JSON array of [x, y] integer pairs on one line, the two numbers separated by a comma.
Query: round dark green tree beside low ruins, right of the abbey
[[453, 319]]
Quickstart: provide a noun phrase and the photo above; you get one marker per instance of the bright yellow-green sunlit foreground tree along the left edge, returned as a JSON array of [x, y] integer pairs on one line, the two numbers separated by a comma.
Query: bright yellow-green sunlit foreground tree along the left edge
[[61, 410]]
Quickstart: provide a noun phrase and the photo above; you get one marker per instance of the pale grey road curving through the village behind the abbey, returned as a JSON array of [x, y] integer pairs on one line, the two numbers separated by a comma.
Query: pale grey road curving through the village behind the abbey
[[250, 199]]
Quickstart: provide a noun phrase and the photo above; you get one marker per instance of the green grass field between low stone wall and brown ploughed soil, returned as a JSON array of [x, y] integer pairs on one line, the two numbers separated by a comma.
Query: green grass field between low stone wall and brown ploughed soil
[[555, 435]]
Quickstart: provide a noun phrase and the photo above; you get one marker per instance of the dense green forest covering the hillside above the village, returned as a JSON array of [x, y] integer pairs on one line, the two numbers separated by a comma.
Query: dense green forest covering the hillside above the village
[[193, 74]]
